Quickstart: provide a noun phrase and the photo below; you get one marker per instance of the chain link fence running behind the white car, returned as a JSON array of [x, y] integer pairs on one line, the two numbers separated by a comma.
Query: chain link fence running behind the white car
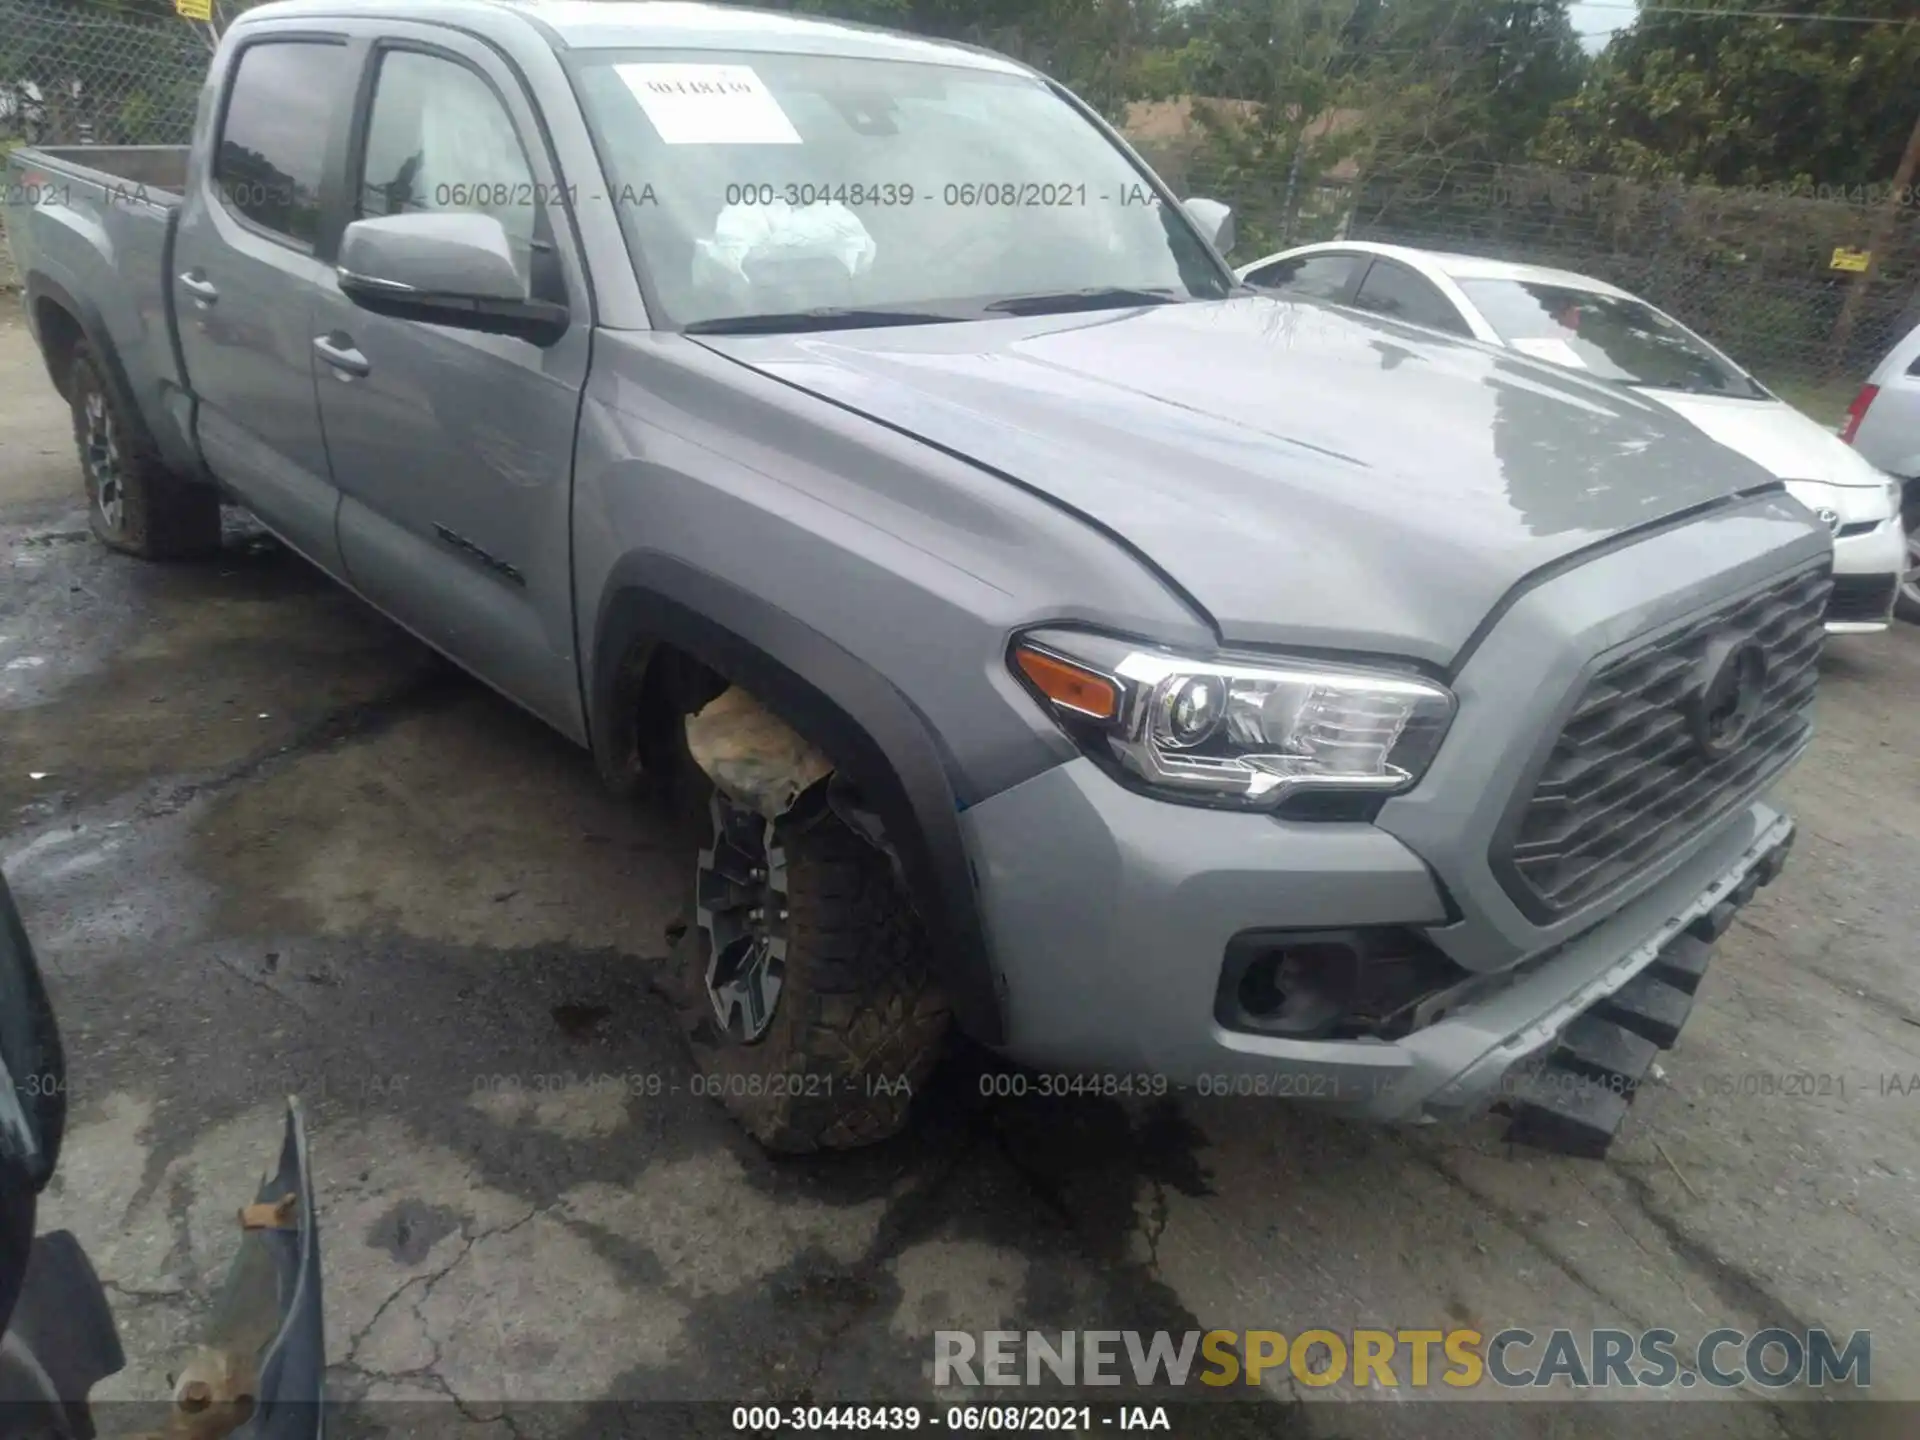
[[1748, 268]]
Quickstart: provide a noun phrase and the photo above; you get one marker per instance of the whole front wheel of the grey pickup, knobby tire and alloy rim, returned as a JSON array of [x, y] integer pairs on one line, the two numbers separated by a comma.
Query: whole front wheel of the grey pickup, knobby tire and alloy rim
[[804, 982]]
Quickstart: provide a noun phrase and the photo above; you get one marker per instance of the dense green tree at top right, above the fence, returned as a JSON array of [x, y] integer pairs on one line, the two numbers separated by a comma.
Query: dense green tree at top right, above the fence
[[1748, 101]]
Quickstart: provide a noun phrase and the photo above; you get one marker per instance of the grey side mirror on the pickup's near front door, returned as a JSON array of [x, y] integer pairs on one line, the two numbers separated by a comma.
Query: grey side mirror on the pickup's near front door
[[444, 268]]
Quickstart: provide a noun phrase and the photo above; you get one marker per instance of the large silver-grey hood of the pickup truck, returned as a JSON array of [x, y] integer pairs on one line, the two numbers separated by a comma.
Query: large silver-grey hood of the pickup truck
[[1307, 477]]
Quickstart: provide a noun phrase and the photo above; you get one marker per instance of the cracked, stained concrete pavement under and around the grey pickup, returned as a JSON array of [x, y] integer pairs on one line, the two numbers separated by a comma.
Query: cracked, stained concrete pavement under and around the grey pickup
[[270, 846]]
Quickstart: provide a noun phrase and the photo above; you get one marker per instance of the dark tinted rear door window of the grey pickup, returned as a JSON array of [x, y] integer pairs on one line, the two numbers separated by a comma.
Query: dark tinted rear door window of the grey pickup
[[281, 114]]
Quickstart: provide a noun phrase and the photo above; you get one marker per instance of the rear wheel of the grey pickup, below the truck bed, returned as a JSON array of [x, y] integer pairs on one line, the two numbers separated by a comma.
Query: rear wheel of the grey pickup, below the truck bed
[[155, 516]]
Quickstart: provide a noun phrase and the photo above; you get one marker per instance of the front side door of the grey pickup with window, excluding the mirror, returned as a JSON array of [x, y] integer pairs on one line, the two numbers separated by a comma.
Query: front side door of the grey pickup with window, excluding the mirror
[[452, 448]]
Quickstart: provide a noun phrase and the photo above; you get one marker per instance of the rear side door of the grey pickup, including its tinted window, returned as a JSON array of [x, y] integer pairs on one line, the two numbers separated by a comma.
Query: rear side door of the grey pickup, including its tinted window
[[247, 277]]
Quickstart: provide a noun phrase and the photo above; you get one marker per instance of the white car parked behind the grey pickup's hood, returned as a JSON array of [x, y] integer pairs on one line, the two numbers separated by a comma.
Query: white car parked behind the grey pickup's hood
[[1591, 325]]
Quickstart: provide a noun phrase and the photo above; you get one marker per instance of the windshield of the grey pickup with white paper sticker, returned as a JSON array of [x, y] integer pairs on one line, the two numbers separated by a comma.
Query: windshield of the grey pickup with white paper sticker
[[769, 189]]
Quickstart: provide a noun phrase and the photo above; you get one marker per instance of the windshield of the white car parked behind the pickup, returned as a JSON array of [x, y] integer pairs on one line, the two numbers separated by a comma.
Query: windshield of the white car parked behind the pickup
[[1614, 337]]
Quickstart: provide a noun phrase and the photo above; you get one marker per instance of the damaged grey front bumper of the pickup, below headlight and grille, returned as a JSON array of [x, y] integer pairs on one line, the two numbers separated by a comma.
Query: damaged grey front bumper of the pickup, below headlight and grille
[[1128, 982]]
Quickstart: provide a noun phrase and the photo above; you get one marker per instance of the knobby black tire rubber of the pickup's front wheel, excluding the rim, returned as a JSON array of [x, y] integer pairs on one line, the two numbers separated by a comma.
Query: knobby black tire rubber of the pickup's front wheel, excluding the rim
[[861, 1019]]
